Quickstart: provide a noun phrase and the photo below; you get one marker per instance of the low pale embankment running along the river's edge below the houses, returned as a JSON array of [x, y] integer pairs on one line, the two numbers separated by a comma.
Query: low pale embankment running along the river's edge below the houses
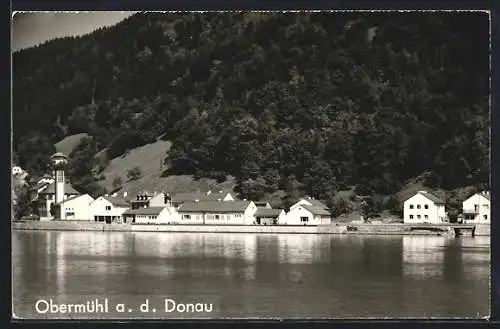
[[344, 228]]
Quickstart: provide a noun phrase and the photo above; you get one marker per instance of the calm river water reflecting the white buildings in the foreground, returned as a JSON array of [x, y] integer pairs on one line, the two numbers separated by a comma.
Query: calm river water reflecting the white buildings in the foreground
[[250, 275]]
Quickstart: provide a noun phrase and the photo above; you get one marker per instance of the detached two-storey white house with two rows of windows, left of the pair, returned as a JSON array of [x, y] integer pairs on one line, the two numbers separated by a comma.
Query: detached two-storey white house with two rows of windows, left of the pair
[[424, 207]]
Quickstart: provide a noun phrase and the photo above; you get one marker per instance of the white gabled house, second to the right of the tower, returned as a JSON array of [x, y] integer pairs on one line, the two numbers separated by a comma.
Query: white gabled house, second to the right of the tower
[[108, 209]]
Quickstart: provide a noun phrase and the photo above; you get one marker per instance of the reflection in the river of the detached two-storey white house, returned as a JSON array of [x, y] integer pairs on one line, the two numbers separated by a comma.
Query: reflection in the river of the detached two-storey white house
[[423, 256]]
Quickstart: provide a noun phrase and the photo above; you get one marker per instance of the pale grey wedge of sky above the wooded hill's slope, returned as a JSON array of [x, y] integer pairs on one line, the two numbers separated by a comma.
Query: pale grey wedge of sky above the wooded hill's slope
[[32, 28]]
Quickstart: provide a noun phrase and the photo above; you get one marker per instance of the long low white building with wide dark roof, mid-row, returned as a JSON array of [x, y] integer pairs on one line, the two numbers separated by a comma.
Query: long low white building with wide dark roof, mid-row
[[217, 212]]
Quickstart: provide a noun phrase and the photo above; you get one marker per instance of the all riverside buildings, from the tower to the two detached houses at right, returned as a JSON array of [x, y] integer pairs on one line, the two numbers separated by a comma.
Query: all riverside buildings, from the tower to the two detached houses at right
[[56, 198]]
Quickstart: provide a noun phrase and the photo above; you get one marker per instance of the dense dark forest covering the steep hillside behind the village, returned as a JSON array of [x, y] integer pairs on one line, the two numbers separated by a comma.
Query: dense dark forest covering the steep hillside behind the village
[[313, 102]]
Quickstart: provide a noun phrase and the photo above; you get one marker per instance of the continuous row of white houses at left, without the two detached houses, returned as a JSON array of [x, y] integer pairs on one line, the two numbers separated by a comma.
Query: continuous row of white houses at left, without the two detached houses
[[181, 208]]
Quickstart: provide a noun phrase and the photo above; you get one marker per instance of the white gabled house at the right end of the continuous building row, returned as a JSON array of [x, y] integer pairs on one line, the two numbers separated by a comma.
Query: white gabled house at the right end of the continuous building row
[[308, 212]]
